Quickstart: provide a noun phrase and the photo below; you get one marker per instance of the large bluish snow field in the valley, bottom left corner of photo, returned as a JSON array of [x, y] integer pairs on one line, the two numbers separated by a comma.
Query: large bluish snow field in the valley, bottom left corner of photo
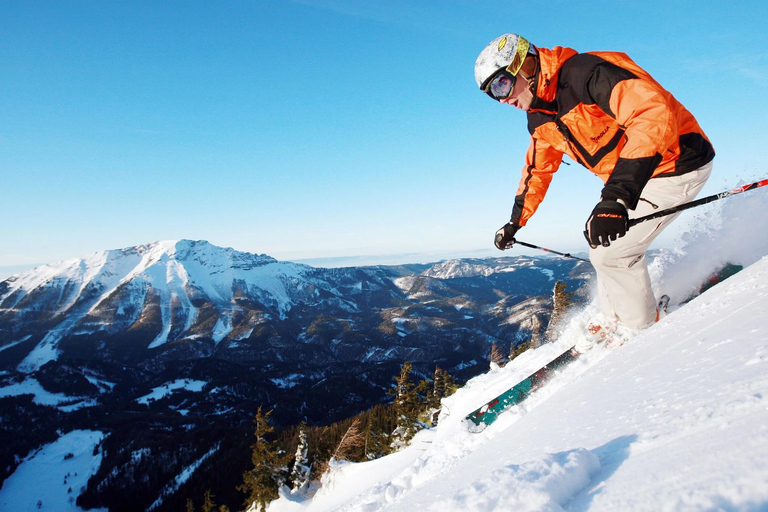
[[52, 478]]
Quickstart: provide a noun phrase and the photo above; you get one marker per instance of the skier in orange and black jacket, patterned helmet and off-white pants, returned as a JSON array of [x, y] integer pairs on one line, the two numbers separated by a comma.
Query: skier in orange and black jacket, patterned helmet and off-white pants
[[605, 112]]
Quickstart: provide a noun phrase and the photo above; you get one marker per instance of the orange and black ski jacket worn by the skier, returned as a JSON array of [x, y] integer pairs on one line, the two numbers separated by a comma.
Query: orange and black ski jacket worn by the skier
[[605, 112]]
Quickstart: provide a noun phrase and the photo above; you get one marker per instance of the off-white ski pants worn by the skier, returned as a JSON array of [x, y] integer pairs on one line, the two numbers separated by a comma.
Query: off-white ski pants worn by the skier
[[623, 283]]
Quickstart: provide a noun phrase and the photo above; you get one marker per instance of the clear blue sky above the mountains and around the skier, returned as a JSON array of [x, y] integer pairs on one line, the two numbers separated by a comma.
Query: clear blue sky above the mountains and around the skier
[[314, 129]]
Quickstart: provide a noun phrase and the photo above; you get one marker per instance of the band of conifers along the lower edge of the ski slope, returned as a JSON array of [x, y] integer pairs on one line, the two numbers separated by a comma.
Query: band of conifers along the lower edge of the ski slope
[[295, 459]]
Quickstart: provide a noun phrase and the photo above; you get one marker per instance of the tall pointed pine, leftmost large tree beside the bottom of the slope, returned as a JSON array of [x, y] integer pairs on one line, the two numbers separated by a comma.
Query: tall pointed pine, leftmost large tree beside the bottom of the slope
[[261, 483]]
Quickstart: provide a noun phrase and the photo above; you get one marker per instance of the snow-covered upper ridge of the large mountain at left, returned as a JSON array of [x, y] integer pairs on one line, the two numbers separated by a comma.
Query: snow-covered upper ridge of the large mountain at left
[[106, 287]]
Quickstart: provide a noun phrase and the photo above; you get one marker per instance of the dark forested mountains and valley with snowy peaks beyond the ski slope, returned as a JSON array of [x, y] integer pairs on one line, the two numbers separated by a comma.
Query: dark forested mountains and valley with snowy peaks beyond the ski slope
[[167, 349]]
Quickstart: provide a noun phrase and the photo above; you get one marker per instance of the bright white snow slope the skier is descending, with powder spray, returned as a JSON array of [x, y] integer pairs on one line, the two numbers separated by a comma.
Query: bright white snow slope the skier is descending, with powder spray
[[676, 419]]
